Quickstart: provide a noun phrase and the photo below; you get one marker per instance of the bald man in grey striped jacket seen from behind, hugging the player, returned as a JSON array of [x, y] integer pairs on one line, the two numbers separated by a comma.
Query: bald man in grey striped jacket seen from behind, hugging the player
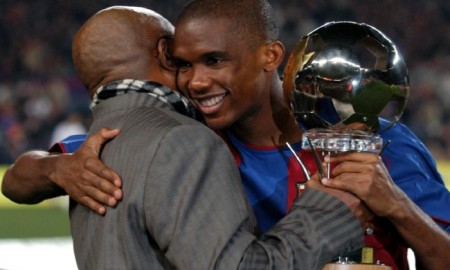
[[184, 206]]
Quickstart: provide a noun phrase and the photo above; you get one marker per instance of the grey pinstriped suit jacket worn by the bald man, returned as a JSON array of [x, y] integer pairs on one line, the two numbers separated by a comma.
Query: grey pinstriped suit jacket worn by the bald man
[[184, 206]]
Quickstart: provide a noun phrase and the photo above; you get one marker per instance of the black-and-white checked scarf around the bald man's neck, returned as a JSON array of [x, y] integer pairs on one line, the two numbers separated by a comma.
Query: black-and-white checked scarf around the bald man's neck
[[154, 89]]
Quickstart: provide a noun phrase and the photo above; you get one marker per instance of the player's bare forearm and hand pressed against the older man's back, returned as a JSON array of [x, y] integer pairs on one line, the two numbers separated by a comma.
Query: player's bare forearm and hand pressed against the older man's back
[[40, 175]]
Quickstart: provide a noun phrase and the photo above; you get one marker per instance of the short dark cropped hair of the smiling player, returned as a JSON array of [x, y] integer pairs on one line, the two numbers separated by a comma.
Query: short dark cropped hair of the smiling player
[[253, 20]]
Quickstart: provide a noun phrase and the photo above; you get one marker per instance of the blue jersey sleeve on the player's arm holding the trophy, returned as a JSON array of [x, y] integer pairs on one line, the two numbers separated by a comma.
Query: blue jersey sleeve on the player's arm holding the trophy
[[414, 170]]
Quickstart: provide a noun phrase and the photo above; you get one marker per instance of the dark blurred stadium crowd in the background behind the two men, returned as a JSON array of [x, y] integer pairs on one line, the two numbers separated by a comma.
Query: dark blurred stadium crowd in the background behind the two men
[[41, 99]]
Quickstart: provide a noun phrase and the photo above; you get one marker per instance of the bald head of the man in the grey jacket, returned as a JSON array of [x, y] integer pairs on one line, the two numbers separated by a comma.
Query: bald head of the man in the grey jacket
[[122, 42]]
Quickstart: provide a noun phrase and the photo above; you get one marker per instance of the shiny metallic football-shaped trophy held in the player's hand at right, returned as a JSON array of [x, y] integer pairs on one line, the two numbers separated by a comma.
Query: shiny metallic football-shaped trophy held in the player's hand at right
[[338, 80]]
